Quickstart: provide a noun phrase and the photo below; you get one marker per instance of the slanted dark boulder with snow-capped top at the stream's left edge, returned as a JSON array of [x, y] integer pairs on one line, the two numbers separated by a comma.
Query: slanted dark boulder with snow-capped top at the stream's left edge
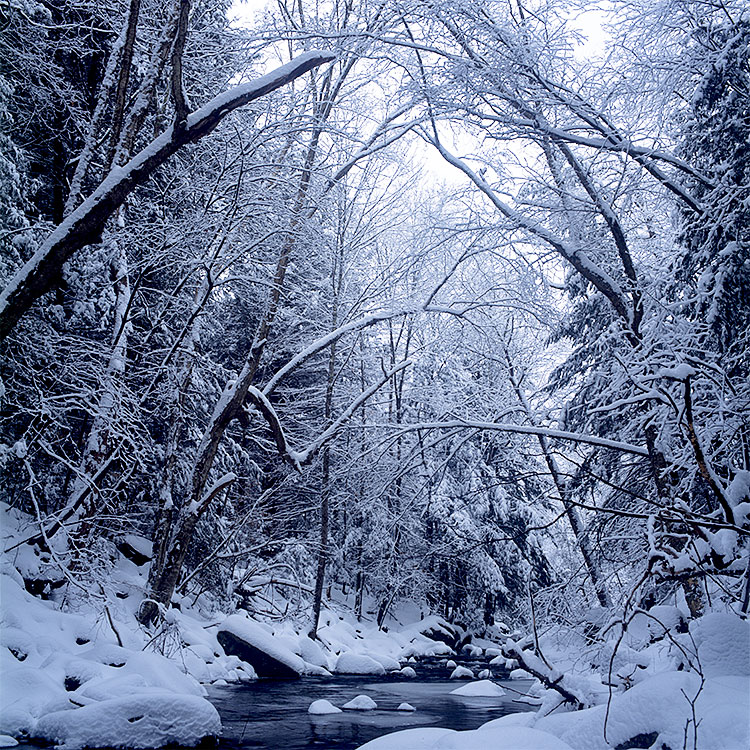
[[270, 658]]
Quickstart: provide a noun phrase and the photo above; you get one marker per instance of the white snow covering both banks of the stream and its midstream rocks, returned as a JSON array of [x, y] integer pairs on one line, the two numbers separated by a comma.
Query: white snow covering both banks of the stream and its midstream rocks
[[77, 670]]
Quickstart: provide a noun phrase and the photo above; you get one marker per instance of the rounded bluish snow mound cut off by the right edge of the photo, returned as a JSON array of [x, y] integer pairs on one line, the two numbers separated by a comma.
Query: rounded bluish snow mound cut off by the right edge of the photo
[[723, 642]]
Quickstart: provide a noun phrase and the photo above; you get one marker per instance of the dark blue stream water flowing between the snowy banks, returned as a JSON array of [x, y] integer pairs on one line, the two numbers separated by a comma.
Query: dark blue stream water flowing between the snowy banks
[[273, 715]]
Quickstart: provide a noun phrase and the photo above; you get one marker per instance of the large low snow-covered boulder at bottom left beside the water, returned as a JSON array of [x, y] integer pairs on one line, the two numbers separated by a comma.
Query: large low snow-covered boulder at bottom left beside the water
[[147, 721]]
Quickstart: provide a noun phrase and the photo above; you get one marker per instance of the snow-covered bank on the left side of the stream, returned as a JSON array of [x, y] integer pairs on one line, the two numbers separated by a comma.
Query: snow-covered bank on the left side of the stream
[[78, 670]]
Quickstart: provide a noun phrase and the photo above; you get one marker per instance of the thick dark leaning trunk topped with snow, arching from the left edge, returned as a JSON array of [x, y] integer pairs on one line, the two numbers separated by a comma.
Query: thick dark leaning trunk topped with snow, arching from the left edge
[[84, 225]]
